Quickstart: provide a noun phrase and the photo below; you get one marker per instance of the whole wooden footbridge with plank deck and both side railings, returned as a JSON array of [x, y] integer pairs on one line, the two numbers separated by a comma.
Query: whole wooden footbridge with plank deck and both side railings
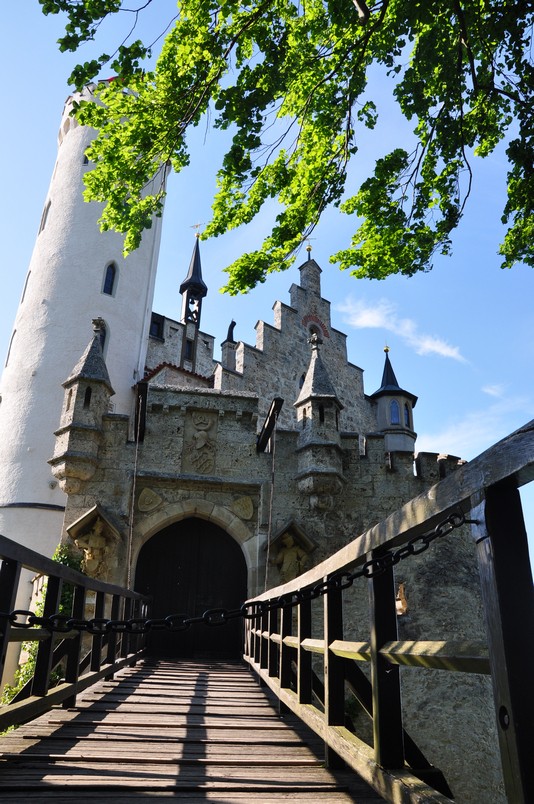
[[120, 727]]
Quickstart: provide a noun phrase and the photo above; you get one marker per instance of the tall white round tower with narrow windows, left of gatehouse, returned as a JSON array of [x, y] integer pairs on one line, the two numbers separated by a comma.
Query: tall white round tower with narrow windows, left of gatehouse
[[76, 274]]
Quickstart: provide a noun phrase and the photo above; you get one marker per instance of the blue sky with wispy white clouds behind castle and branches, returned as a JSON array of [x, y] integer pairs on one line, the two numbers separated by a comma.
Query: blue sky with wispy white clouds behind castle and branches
[[460, 336]]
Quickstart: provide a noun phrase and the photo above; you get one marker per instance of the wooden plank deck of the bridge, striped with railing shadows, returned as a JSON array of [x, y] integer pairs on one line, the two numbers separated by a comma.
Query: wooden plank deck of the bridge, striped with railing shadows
[[179, 730]]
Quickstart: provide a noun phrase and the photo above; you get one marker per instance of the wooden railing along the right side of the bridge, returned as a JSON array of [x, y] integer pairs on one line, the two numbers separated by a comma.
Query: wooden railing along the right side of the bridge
[[280, 643]]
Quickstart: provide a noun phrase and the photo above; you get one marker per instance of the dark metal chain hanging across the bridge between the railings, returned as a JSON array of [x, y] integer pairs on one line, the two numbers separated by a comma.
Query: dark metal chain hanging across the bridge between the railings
[[61, 624]]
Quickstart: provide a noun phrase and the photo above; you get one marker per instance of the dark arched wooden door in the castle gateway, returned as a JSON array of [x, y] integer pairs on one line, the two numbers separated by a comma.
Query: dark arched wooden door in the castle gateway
[[190, 567]]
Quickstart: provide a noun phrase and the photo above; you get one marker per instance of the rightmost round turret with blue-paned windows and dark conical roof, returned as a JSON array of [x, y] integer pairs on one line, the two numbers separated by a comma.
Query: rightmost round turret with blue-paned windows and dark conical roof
[[394, 411]]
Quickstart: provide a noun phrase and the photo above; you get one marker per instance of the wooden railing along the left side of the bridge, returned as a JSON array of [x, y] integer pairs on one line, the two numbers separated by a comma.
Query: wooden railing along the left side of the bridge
[[84, 657]]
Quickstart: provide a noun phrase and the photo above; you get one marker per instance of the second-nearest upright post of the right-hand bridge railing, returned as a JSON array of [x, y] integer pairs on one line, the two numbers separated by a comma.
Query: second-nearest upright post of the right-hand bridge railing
[[387, 713]]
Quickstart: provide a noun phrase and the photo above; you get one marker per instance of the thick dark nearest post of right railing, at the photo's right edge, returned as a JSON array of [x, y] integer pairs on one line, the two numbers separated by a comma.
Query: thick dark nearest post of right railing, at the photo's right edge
[[508, 594]]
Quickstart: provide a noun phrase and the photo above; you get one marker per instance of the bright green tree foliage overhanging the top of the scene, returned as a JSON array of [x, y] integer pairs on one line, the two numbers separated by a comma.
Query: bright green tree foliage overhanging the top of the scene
[[288, 80]]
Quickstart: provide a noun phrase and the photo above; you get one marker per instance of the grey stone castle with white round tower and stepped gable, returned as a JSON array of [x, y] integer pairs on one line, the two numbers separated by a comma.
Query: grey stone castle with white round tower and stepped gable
[[194, 479]]
